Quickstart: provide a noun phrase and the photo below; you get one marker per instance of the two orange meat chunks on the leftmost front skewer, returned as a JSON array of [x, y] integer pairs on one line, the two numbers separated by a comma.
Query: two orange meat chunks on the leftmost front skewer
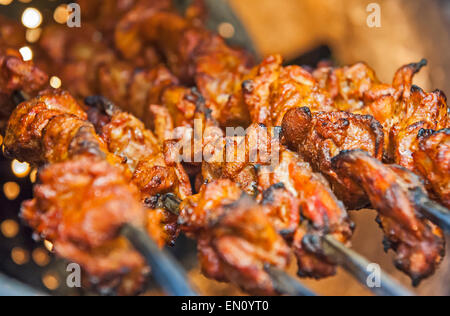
[[78, 189]]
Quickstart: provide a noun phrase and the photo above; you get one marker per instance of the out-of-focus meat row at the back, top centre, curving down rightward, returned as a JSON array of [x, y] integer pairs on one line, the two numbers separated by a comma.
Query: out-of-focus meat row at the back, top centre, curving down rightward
[[193, 54]]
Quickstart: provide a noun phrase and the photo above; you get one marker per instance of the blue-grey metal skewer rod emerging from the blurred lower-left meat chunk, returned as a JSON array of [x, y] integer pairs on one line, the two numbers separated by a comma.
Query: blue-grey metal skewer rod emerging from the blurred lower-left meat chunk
[[167, 272]]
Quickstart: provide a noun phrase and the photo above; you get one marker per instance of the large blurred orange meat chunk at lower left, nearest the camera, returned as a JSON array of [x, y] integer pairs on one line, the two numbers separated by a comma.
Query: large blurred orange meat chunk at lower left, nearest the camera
[[80, 205]]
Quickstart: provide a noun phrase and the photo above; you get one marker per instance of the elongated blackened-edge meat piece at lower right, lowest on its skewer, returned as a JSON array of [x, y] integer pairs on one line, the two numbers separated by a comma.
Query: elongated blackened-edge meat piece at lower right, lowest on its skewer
[[419, 244]]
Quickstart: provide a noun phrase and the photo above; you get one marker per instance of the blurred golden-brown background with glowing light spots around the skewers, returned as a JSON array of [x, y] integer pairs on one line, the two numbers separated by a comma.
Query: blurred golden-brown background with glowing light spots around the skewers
[[304, 32]]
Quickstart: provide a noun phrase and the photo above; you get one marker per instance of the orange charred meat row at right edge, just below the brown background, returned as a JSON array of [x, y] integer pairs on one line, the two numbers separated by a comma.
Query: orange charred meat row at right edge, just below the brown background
[[405, 111]]
